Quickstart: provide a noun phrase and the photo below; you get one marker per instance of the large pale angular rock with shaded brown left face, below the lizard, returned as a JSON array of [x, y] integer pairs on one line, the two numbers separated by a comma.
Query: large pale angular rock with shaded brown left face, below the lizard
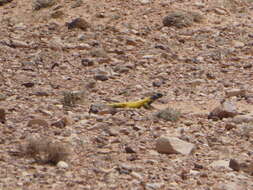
[[173, 145]]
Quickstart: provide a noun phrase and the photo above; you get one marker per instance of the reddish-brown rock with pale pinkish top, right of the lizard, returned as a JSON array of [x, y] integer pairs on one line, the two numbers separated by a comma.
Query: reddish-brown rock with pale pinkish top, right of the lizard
[[225, 110]]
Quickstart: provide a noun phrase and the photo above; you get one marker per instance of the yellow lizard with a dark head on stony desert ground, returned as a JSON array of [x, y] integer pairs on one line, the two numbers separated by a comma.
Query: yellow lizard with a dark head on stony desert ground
[[146, 102]]
